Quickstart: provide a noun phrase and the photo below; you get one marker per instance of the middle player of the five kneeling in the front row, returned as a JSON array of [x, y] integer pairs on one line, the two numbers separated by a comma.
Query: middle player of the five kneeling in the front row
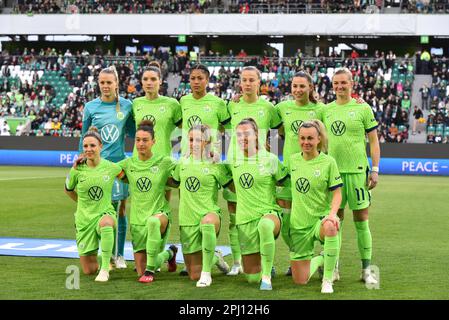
[[199, 176]]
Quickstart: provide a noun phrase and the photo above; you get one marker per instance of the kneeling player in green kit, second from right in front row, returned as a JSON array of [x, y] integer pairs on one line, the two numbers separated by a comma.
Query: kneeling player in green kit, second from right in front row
[[256, 172]]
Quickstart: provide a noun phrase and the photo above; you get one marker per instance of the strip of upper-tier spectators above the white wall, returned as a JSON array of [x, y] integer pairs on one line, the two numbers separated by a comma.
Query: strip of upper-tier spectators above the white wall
[[226, 6]]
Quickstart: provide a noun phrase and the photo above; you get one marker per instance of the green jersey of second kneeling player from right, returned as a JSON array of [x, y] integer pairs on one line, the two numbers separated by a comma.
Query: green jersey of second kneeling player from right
[[255, 185]]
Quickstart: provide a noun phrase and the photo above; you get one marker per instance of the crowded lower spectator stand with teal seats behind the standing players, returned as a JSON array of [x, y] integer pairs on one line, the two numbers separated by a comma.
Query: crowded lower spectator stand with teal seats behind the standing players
[[50, 88]]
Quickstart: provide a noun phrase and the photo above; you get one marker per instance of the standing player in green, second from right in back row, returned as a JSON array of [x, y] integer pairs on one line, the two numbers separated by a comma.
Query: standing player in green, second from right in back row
[[293, 113]]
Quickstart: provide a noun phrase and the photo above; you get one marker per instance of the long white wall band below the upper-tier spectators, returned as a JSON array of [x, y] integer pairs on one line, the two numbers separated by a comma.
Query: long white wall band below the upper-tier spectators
[[226, 24]]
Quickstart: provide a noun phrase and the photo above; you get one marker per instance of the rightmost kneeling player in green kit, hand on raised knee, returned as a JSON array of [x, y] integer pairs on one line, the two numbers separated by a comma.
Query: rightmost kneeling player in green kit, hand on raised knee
[[316, 191]]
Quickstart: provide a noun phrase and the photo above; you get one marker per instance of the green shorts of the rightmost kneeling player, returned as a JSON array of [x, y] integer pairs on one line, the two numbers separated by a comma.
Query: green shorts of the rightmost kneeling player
[[302, 242]]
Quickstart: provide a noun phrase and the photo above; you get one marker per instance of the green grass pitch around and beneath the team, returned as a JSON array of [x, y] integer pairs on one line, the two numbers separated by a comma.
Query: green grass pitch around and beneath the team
[[408, 219]]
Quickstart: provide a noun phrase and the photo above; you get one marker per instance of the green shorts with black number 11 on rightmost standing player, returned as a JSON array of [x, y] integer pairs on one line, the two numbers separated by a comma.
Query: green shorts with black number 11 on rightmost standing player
[[355, 191]]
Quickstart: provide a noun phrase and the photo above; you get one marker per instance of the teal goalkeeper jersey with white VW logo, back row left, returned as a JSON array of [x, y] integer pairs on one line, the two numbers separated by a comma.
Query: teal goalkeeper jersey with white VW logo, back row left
[[113, 126]]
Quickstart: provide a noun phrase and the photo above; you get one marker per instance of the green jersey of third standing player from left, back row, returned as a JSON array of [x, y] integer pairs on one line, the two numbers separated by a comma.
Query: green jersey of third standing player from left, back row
[[209, 110]]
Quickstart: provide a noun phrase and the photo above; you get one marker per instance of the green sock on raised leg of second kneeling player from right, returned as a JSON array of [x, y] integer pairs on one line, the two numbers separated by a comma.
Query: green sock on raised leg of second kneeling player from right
[[267, 245]]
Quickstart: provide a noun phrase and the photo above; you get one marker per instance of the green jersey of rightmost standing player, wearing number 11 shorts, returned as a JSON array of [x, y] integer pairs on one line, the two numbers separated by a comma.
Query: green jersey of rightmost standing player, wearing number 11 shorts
[[347, 126]]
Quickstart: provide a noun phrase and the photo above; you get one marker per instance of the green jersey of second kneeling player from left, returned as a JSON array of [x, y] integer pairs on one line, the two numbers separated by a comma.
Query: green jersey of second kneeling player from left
[[147, 182]]
